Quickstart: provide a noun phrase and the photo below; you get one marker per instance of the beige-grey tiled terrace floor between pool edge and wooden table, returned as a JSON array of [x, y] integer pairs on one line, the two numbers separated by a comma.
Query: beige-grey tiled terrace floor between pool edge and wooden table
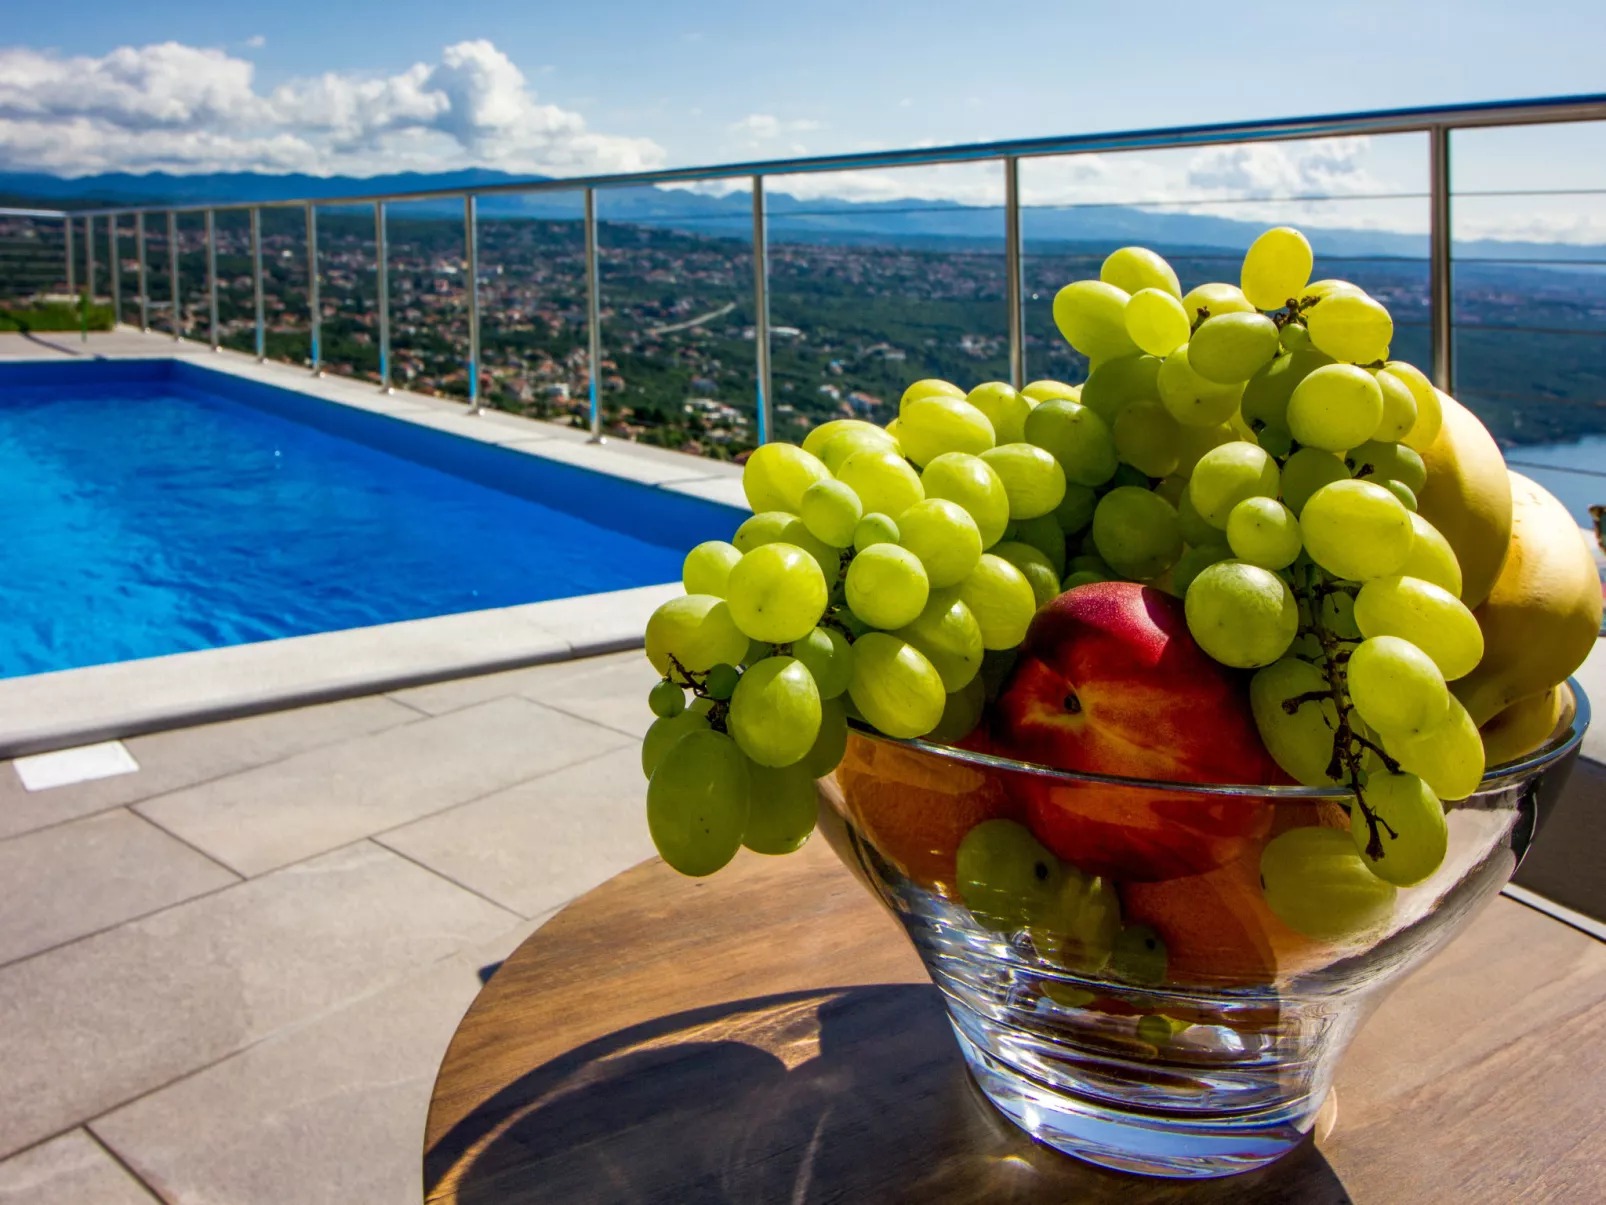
[[232, 976]]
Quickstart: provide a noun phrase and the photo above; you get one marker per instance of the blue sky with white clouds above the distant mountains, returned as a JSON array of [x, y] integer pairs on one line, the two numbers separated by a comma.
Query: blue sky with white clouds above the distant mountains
[[563, 89]]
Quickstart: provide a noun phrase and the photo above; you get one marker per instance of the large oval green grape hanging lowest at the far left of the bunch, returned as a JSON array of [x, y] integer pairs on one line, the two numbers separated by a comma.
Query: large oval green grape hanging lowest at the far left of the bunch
[[699, 801]]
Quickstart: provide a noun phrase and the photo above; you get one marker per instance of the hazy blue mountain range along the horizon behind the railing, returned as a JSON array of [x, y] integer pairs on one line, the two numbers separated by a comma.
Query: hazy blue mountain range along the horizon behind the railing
[[817, 221]]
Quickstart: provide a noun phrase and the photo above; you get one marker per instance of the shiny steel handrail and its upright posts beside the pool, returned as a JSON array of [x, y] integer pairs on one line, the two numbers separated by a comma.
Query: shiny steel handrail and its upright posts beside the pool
[[1435, 121]]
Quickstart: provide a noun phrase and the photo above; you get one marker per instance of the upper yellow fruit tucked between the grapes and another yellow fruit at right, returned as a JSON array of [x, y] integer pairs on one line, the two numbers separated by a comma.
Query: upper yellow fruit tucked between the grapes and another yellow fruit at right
[[1469, 497]]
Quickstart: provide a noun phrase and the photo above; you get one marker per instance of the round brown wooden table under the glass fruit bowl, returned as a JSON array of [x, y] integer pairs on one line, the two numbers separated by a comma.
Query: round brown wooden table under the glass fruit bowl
[[768, 1035]]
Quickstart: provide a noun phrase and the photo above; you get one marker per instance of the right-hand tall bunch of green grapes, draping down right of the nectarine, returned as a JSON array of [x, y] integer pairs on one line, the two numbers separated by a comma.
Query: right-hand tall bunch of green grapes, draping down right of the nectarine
[[1278, 457]]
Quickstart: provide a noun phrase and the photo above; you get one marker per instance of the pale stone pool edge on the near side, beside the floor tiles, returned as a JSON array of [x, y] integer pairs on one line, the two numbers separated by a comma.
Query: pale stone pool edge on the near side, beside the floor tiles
[[100, 703]]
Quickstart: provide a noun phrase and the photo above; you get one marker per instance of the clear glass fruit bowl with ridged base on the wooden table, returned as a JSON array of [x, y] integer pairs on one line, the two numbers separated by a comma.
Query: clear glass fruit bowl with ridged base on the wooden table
[[1159, 1018]]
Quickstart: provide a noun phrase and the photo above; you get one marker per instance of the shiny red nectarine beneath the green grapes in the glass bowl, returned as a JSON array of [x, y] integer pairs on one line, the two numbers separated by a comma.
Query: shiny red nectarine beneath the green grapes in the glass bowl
[[1111, 682]]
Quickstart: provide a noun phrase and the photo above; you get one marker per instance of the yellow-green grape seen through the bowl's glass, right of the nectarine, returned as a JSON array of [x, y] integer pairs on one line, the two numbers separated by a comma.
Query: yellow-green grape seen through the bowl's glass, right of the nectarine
[[1319, 886]]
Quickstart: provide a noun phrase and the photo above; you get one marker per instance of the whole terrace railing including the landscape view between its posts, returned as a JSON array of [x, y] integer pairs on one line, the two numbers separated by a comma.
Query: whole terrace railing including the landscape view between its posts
[[711, 324]]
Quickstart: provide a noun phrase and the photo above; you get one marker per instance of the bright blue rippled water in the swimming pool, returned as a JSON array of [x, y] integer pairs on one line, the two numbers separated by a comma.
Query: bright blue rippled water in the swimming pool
[[153, 509]]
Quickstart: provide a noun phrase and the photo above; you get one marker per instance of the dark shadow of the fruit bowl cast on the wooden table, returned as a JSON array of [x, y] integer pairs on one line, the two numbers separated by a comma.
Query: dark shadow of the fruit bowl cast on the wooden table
[[854, 1095]]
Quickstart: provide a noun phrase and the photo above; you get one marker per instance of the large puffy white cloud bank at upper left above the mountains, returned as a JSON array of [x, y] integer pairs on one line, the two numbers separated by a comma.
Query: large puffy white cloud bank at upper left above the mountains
[[192, 110]]
